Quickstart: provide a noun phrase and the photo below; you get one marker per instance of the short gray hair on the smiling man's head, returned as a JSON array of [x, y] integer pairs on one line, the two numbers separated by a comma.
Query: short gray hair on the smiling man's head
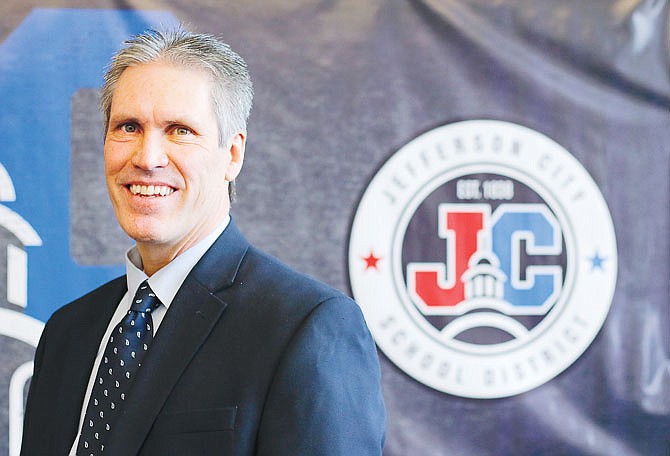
[[232, 92]]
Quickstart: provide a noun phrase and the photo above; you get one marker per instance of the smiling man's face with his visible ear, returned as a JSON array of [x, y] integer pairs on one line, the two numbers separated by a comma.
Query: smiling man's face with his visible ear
[[167, 175]]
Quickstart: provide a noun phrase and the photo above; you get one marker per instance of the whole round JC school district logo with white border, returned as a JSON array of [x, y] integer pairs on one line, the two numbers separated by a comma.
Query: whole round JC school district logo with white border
[[484, 258]]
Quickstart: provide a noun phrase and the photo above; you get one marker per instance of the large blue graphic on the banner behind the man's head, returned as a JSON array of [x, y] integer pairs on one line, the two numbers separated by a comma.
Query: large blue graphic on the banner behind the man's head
[[50, 56]]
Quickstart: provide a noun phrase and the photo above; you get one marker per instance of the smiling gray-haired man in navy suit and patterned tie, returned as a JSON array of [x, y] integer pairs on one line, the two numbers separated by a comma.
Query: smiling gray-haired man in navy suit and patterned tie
[[223, 350]]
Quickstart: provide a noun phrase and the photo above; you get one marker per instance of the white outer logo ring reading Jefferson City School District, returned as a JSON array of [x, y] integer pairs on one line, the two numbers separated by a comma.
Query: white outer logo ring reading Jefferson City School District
[[529, 365]]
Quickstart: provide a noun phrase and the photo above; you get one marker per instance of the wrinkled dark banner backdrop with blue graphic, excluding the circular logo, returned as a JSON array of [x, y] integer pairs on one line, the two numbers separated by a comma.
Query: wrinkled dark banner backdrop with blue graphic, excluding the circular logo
[[341, 85]]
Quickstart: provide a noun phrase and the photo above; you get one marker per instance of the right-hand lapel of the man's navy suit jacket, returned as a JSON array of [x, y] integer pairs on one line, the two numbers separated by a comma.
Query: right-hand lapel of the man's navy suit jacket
[[193, 314]]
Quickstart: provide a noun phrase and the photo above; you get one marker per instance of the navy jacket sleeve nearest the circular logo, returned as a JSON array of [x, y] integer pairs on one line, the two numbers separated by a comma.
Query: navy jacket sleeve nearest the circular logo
[[326, 395]]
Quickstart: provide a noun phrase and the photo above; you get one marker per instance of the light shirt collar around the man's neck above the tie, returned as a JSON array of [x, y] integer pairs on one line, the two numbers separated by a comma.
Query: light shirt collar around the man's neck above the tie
[[168, 280]]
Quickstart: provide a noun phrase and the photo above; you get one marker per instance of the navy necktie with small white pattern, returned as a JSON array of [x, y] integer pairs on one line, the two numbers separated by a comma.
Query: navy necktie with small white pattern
[[123, 355]]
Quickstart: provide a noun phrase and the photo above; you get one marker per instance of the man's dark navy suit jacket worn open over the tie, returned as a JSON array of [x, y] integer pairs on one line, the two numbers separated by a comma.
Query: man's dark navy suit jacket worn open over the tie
[[252, 358]]
